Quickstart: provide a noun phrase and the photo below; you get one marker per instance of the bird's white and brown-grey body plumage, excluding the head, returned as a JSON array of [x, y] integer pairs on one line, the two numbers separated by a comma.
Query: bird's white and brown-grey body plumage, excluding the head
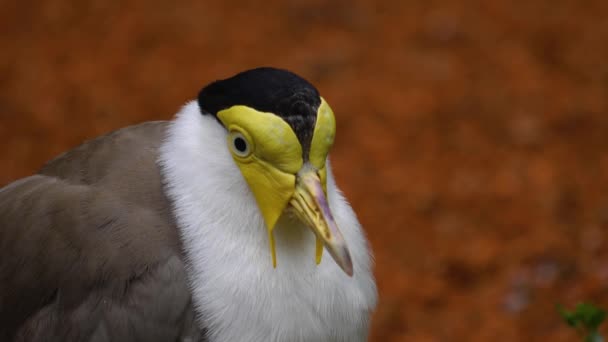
[[150, 233]]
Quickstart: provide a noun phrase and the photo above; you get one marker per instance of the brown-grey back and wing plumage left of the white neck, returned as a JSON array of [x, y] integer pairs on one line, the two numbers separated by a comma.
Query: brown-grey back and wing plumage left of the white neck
[[93, 248]]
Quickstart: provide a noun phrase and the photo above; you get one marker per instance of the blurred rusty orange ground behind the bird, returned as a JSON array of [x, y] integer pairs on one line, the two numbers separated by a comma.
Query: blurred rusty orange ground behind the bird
[[472, 135]]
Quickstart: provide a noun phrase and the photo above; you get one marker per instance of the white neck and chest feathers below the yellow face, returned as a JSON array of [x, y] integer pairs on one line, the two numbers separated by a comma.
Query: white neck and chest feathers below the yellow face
[[237, 293]]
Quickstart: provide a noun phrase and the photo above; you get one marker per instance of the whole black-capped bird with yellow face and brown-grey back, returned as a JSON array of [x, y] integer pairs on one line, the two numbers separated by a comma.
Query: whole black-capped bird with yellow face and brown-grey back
[[223, 223]]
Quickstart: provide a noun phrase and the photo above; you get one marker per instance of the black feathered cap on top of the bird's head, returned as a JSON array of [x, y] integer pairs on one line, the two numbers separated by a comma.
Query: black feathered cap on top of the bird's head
[[267, 90]]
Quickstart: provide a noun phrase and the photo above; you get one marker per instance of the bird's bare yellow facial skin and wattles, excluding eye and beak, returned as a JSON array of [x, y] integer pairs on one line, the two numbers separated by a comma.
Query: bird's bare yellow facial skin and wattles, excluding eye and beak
[[276, 158]]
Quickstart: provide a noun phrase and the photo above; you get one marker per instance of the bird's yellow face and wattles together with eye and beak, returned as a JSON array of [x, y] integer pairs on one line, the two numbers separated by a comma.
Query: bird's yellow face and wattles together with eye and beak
[[269, 155]]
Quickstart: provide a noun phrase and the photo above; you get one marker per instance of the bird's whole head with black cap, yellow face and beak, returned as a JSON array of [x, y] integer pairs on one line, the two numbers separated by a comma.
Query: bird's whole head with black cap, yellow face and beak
[[279, 132]]
